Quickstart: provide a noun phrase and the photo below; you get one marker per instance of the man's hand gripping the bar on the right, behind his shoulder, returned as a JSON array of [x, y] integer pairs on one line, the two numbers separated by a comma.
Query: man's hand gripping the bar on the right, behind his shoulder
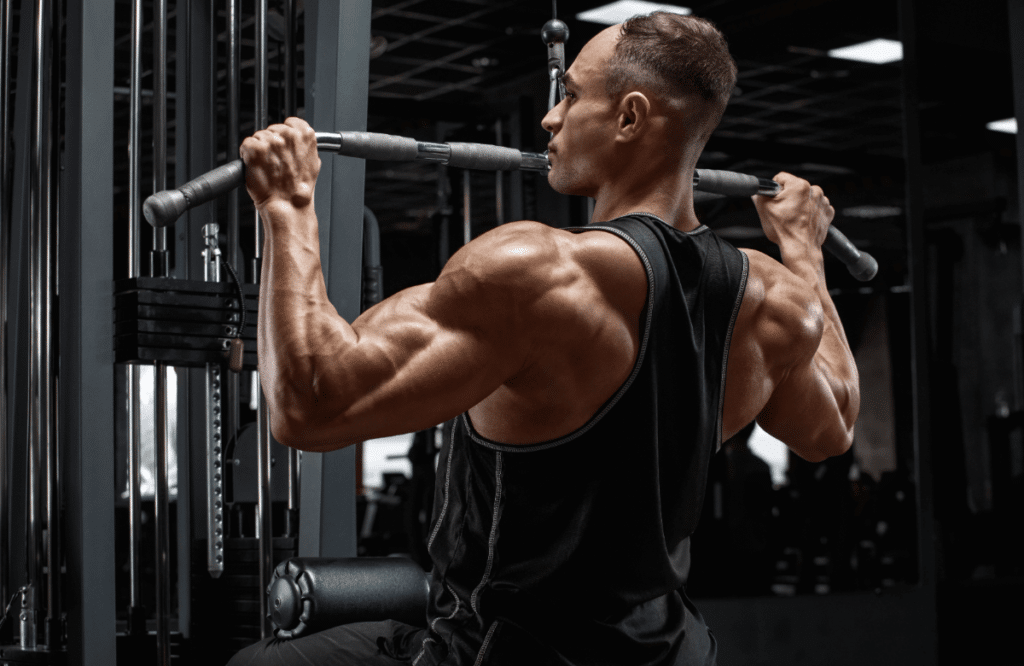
[[799, 213]]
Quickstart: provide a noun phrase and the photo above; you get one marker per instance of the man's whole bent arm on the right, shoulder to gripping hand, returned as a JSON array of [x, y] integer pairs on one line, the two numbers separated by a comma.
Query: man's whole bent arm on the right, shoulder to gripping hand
[[793, 369]]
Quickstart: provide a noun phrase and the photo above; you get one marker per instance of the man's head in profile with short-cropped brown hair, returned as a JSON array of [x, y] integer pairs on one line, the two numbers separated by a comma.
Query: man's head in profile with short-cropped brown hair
[[648, 93]]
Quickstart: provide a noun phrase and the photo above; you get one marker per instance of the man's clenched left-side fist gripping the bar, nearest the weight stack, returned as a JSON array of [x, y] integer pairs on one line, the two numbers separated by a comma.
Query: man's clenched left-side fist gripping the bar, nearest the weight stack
[[282, 163]]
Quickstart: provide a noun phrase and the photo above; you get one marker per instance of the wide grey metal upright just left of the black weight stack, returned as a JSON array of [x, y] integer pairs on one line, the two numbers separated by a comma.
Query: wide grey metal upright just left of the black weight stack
[[87, 331]]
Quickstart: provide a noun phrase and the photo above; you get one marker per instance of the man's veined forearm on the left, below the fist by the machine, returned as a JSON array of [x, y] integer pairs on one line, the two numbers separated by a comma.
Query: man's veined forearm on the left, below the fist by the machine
[[297, 323]]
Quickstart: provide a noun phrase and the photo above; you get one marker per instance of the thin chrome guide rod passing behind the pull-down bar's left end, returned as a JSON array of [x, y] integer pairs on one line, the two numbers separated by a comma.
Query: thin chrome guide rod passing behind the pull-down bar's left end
[[159, 269]]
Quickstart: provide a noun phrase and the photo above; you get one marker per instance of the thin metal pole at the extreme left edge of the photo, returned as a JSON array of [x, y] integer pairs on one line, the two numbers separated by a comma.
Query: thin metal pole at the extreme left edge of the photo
[[6, 8]]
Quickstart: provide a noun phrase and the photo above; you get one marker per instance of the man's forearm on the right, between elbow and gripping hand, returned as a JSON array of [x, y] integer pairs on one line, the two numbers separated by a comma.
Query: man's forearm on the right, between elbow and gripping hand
[[834, 356]]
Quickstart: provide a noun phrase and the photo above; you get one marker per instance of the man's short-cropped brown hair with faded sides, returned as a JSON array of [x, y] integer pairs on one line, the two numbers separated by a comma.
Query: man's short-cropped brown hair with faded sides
[[679, 57]]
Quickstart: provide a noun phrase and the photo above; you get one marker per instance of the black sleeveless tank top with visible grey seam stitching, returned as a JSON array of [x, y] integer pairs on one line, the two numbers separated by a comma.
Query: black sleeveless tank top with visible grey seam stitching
[[576, 551]]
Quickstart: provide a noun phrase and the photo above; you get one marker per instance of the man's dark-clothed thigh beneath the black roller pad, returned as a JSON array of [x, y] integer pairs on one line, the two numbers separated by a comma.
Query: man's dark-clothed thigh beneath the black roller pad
[[363, 644]]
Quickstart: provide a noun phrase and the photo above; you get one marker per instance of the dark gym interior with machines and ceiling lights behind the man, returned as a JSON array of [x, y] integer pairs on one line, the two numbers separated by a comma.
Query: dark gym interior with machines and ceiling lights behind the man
[[144, 503]]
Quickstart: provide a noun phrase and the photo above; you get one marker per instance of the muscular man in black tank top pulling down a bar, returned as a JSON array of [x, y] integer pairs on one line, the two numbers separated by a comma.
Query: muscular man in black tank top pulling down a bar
[[593, 372]]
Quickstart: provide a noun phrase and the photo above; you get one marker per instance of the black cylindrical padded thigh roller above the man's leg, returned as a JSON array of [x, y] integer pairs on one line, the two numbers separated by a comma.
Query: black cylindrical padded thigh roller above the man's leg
[[308, 595]]
